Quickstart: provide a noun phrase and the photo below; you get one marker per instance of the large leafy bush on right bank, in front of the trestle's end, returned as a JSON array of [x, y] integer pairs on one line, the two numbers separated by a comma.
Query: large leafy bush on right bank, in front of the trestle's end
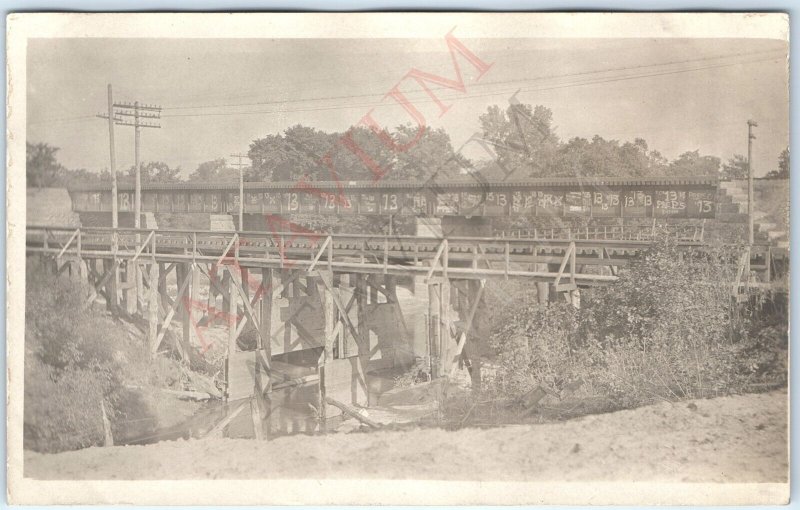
[[667, 330]]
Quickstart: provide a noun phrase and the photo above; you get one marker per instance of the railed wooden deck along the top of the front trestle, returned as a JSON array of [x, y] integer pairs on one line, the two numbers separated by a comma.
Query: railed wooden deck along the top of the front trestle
[[578, 261]]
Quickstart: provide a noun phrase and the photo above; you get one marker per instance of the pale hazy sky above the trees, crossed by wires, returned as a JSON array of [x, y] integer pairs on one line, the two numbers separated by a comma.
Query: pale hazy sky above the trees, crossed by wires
[[218, 95]]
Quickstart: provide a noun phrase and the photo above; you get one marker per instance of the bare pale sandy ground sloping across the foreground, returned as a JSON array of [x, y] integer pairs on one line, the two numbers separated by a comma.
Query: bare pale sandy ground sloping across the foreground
[[740, 438]]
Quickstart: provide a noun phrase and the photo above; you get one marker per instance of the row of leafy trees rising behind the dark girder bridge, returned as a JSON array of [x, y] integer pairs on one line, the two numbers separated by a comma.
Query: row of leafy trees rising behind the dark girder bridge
[[519, 141]]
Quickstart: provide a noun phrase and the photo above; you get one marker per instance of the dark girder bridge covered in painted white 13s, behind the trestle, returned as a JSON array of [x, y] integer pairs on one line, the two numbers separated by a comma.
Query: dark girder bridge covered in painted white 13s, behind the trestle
[[658, 197]]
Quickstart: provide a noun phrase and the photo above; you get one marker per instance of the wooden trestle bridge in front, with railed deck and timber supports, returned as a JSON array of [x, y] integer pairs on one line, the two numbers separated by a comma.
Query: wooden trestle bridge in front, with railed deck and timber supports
[[344, 278]]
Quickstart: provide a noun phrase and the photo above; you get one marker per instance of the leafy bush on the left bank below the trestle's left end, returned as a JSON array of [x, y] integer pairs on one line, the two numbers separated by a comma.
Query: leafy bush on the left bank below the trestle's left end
[[74, 361]]
